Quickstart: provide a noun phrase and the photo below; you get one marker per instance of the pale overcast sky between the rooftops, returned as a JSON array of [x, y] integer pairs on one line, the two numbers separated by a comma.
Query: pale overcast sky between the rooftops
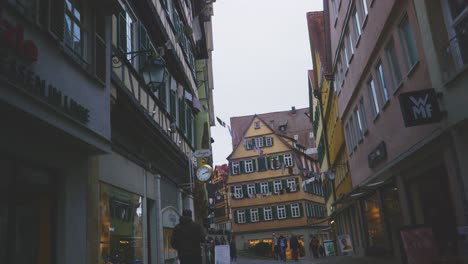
[[260, 60]]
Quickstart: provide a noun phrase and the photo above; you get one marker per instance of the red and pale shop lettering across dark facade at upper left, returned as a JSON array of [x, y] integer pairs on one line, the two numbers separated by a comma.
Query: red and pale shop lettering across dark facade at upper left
[[15, 71]]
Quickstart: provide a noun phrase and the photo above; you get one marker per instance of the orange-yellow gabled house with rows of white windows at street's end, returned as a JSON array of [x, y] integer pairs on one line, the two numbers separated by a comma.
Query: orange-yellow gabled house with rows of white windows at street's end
[[269, 195]]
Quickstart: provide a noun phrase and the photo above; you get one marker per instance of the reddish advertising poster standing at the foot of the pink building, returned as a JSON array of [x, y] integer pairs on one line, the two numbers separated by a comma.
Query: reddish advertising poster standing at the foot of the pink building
[[419, 244]]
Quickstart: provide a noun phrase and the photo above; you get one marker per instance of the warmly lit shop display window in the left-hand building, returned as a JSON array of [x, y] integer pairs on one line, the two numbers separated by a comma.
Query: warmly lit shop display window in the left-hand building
[[121, 226]]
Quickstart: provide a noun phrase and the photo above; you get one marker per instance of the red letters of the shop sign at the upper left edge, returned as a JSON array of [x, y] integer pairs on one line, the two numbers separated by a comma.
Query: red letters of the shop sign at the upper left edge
[[13, 36]]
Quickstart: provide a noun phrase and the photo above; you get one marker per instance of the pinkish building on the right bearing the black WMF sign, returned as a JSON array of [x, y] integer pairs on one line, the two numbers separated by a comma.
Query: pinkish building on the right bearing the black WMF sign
[[399, 154]]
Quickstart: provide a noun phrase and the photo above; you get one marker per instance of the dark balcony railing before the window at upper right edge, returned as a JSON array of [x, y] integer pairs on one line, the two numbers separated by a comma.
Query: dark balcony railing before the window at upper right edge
[[455, 57]]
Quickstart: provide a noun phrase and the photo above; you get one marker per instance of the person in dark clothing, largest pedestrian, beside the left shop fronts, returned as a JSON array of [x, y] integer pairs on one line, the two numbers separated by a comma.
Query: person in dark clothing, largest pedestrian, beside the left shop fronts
[[187, 238]]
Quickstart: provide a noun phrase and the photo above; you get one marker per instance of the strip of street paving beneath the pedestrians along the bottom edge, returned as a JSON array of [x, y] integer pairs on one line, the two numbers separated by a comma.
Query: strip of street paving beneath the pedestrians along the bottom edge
[[327, 260]]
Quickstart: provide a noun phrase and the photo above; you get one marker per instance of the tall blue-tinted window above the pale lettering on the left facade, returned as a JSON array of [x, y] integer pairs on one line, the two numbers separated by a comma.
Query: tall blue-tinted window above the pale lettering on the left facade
[[74, 34]]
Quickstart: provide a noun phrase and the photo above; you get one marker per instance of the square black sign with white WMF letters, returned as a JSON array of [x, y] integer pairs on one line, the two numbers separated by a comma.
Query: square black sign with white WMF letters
[[420, 107]]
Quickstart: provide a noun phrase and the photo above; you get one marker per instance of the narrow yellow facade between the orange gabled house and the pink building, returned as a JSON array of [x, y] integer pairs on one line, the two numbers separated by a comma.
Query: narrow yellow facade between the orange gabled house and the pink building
[[329, 133]]
